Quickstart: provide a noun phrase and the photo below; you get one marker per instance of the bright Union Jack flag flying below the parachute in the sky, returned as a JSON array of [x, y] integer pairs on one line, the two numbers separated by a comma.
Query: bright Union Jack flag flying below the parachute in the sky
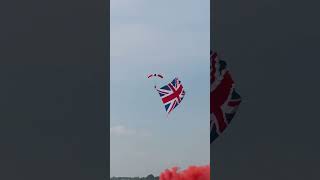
[[172, 94]]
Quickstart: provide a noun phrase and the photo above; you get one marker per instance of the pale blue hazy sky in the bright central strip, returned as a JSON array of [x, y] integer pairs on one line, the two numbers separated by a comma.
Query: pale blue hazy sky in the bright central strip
[[168, 37]]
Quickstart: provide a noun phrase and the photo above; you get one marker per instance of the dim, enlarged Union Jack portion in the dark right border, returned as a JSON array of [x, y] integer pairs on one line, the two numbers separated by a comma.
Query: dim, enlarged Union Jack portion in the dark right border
[[224, 100]]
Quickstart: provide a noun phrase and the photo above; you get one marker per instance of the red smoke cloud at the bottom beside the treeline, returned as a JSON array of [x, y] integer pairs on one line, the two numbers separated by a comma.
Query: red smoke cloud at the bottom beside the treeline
[[191, 173]]
